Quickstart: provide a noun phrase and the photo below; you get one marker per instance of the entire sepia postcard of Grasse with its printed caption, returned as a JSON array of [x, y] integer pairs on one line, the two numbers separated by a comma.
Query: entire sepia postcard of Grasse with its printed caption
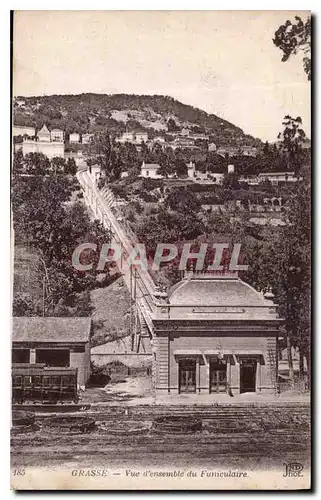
[[161, 250]]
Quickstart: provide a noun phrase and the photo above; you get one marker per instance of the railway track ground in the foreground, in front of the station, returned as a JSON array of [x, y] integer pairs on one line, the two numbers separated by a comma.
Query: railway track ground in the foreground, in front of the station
[[256, 436]]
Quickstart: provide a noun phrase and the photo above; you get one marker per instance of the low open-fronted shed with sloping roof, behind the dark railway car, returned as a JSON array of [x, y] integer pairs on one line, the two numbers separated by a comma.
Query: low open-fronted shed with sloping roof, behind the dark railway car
[[54, 341]]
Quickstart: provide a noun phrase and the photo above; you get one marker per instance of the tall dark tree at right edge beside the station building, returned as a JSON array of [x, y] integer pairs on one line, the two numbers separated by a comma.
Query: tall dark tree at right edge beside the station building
[[283, 261]]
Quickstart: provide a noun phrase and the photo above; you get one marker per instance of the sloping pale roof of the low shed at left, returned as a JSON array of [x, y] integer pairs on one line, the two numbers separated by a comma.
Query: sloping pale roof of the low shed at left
[[56, 329]]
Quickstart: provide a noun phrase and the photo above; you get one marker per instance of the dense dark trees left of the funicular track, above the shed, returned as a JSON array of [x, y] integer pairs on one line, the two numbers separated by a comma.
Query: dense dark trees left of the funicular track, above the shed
[[48, 221]]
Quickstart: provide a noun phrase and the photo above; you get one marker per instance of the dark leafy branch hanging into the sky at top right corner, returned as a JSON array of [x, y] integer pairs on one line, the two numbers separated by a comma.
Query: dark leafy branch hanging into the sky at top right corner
[[294, 37]]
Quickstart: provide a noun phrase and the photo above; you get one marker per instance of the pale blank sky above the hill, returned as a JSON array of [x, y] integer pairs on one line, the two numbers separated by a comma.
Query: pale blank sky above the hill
[[221, 61]]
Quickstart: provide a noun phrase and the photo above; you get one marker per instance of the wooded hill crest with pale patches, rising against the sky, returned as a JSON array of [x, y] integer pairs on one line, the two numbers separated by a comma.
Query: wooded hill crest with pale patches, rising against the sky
[[95, 112]]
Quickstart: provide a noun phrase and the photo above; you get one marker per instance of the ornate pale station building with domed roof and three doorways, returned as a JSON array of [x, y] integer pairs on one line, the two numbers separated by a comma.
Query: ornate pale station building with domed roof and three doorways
[[215, 335]]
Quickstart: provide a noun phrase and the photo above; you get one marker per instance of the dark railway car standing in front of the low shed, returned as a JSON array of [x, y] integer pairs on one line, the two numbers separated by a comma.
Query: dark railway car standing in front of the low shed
[[39, 383]]
